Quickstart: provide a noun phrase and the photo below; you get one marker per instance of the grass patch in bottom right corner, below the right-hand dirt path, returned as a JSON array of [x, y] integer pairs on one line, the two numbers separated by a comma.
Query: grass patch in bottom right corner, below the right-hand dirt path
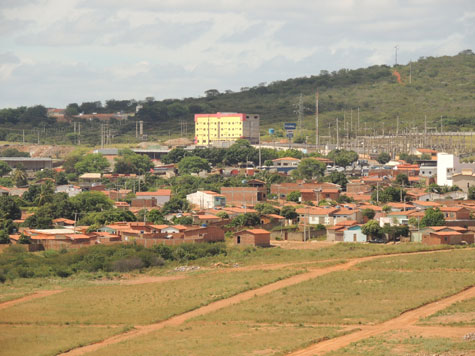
[[385, 345]]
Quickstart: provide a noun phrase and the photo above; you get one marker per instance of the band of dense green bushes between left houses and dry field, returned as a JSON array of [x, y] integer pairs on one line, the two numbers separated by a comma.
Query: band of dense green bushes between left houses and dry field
[[15, 262]]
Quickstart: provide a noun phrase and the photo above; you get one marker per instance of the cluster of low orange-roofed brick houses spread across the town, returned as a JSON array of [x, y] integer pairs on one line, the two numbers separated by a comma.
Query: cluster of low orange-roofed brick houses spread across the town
[[212, 211]]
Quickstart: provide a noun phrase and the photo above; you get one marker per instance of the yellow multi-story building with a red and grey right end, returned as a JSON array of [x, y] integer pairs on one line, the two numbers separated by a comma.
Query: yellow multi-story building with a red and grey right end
[[221, 128]]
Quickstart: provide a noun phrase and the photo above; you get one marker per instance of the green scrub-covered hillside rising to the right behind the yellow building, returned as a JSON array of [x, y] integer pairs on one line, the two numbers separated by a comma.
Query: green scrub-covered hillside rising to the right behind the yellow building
[[439, 87]]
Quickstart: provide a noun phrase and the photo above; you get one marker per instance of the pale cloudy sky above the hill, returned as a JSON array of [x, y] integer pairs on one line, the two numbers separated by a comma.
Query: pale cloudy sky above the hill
[[56, 52]]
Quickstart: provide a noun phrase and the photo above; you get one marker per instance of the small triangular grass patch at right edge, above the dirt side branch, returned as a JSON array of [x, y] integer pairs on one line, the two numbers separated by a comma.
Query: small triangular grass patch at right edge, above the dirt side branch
[[458, 314]]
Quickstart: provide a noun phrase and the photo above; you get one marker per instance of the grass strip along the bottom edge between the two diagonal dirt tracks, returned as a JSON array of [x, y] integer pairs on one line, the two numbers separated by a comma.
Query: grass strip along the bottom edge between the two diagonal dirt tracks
[[232, 339]]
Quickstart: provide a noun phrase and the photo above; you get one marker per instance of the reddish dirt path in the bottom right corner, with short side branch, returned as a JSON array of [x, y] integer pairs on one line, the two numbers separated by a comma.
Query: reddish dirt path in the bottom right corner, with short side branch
[[403, 321]]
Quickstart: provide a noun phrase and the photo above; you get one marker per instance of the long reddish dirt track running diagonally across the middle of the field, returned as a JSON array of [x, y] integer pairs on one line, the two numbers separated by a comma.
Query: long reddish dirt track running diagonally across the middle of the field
[[180, 319]]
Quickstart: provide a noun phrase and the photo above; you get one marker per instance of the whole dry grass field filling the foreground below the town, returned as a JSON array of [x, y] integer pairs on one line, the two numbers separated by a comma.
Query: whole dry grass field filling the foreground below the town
[[282, 319]]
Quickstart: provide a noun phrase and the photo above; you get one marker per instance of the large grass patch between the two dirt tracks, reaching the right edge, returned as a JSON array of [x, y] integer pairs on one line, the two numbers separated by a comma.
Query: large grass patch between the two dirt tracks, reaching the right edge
[[348, 297]]
